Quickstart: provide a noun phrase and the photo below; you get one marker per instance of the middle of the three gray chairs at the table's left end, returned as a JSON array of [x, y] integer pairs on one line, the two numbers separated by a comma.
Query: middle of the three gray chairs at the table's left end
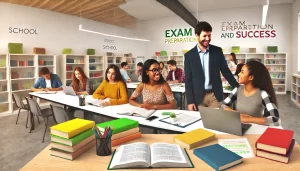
[[37, 111]]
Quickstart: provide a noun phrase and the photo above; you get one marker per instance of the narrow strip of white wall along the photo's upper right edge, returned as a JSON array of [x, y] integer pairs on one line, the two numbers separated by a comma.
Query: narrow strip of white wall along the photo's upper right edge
[[295, 39]]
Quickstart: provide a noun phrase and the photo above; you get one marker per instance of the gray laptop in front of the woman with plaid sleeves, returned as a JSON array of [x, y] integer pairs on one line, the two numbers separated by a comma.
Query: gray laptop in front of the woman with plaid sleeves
[[223, 120]]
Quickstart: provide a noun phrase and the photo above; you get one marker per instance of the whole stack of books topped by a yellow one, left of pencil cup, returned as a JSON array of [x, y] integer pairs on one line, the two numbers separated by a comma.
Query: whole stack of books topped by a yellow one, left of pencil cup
[[72, 138]]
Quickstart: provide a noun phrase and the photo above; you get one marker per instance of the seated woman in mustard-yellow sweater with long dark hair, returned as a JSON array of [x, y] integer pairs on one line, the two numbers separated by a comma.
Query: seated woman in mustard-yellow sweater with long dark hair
[[113, 88]]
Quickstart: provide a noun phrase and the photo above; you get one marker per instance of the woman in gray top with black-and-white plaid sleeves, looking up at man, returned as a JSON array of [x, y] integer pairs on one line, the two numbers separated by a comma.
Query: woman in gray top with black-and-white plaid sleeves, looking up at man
[[256, 99]]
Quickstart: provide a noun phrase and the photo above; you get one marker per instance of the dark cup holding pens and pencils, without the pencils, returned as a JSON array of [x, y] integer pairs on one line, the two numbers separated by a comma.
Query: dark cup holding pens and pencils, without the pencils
[[103, 146]]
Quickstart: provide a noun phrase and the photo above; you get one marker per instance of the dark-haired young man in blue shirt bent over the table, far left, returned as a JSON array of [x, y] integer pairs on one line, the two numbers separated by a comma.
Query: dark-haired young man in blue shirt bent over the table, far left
[[47, 81]]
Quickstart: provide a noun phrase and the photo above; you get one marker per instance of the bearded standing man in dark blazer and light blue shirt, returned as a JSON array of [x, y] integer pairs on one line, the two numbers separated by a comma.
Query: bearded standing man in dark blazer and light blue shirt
[[202, 67]]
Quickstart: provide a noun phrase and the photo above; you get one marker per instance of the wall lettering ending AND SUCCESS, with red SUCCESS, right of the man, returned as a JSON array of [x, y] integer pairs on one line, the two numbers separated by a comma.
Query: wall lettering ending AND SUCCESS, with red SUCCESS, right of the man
[[240, 29]]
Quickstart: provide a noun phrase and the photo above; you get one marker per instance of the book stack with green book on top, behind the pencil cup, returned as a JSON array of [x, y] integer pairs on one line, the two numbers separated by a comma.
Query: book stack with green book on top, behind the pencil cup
[[124, 130]]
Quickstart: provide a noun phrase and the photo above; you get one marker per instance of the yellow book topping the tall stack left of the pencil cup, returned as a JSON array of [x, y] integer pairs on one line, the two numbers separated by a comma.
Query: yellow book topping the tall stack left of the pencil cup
[[71, 128]]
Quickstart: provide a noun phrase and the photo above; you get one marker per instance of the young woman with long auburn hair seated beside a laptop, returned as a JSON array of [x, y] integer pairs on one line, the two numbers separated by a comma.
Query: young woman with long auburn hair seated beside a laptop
[[81, 86]]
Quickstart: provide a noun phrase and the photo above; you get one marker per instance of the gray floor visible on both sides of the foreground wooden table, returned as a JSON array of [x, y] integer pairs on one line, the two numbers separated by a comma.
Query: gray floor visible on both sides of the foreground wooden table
[[18, 146]]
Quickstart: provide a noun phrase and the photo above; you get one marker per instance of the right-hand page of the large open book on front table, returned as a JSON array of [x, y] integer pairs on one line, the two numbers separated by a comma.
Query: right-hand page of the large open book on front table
[[164, 152]]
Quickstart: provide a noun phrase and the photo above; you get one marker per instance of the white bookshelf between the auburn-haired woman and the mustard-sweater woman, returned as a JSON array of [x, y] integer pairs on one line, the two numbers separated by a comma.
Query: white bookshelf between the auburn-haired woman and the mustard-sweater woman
[[95, 70]]
